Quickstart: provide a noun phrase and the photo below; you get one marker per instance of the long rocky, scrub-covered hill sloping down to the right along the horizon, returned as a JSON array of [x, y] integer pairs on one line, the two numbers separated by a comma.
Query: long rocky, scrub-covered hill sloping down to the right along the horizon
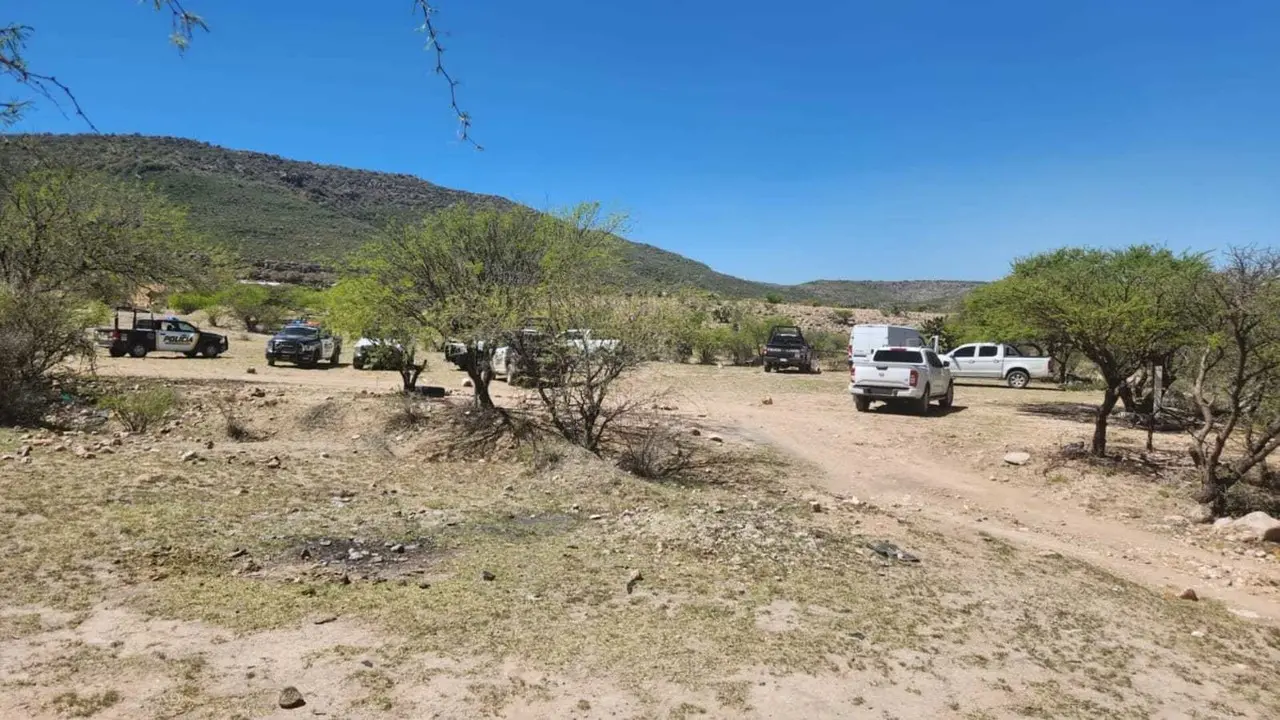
[[294, 220]]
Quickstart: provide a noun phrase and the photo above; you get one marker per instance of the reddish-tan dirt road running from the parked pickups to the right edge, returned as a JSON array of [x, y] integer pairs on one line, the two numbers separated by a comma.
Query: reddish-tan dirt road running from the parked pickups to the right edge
[[949, 468]]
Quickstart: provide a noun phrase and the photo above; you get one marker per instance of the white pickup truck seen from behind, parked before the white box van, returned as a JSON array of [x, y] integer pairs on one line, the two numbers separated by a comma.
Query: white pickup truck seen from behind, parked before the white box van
[[908, 376]]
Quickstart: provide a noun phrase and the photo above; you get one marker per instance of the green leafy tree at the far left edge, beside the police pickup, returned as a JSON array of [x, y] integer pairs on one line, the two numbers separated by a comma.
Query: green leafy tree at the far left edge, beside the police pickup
[[70, 244]]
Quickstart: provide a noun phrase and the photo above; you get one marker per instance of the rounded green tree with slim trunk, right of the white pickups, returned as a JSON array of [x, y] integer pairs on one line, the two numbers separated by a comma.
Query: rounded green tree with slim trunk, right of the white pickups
[[1122, 309]]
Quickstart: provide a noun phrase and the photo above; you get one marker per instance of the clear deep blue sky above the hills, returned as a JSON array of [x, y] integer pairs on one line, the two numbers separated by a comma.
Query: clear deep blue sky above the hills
[[862, 140]]
